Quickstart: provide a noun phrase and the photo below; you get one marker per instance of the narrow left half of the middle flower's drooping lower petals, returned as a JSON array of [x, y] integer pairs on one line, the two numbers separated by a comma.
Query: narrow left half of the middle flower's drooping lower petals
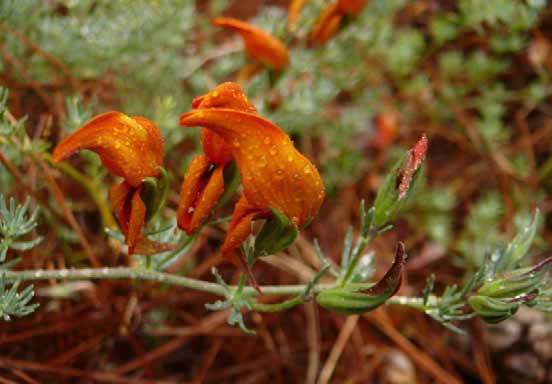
[[191, 188]]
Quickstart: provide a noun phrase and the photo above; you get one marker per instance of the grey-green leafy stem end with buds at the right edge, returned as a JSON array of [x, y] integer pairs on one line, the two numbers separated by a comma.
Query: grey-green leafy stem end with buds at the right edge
[[499, 287]]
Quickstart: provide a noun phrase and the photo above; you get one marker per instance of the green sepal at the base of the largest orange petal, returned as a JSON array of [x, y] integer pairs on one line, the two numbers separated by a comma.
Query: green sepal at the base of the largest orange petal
[[276, 234]]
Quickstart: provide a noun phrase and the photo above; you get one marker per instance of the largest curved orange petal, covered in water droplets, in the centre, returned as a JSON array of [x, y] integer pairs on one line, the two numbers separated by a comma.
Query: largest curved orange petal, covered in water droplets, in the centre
[[274, 174]]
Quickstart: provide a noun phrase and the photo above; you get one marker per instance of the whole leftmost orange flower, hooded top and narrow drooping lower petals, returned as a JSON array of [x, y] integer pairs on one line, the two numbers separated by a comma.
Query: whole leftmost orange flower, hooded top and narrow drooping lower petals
[[130, 147]]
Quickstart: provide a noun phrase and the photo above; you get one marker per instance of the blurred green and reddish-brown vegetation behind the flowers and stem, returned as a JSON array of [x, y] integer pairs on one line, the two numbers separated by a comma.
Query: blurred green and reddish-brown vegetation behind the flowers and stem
[[474, 75]]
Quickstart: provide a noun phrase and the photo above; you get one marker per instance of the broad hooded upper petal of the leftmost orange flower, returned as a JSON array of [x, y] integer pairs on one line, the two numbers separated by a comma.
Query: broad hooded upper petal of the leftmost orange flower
[[129, 147]]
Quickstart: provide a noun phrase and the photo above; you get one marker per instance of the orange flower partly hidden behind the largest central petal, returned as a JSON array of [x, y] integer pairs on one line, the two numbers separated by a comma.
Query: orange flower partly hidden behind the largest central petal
[[203, 182]]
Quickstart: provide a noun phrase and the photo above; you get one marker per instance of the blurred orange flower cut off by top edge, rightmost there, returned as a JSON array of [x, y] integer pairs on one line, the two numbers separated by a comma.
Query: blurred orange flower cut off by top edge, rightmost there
[[329, 21]]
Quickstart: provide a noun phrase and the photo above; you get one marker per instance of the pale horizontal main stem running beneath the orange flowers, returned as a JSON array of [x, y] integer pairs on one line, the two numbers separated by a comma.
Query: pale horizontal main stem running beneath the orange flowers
[[185, 282]]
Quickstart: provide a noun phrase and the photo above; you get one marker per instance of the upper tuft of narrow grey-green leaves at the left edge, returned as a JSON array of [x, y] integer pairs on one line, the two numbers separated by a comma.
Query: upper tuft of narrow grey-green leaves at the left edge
[[15, 222]]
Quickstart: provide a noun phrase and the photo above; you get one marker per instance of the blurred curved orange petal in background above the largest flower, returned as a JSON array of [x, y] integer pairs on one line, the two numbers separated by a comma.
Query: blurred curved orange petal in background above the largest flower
[[258, 43]]
